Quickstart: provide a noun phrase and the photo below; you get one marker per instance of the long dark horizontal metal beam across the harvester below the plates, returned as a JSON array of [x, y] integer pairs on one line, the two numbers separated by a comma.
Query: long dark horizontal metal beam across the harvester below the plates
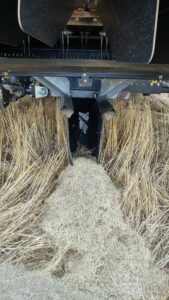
[[75, 68]]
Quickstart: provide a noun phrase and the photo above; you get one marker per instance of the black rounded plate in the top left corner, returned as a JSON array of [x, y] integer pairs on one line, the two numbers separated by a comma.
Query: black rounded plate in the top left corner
[[10, 32]]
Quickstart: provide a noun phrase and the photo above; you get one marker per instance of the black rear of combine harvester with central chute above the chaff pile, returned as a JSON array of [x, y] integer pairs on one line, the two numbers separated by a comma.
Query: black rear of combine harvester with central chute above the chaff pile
[[86, 53]]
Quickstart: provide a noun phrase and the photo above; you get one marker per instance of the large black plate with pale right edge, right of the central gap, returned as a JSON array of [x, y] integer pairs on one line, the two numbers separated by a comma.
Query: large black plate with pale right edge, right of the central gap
[[131, 27]]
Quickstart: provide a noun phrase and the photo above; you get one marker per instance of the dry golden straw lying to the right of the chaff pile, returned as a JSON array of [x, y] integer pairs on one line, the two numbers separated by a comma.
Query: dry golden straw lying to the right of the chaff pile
[[135, 152]]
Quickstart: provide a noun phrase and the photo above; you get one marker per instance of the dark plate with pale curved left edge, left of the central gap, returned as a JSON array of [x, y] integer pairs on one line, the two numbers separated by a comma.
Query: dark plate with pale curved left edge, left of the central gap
[[46, 19]]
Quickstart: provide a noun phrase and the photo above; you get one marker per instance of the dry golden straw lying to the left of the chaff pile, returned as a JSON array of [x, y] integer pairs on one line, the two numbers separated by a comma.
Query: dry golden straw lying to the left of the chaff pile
[[32, 154]]
